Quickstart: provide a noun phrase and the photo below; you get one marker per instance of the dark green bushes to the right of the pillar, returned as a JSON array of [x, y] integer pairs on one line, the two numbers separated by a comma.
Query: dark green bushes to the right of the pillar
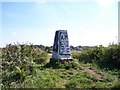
[[108, 57]]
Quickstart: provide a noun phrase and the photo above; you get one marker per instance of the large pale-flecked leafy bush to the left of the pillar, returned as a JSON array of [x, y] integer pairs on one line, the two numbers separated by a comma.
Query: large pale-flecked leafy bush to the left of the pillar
[[18, 60]]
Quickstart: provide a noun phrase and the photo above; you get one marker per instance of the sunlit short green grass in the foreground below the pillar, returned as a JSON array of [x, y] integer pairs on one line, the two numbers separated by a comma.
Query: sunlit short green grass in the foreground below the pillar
[[72, 78]]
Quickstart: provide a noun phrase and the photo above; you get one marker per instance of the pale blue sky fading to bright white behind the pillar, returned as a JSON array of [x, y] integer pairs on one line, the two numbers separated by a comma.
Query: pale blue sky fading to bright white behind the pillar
[[94, 22]]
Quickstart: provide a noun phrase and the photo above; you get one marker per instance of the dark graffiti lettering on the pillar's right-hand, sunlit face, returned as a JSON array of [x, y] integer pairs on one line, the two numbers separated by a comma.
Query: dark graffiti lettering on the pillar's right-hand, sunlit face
[[64, 48]]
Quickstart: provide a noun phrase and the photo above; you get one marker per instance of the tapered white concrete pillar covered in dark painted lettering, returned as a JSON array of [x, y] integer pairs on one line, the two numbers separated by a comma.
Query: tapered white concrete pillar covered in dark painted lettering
[[61, 48]]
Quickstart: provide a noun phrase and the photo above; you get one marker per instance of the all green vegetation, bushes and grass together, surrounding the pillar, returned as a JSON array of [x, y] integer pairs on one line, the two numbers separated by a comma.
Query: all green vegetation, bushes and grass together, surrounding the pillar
[[26, 66]]
